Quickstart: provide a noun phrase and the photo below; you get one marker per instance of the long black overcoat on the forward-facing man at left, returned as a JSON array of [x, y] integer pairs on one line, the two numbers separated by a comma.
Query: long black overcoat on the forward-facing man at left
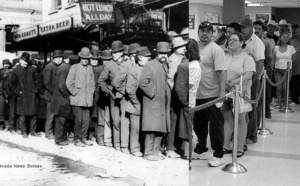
[[24, 85]]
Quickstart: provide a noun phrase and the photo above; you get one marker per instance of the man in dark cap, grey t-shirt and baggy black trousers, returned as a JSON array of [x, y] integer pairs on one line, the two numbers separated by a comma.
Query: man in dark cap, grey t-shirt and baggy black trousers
[[212, 86]]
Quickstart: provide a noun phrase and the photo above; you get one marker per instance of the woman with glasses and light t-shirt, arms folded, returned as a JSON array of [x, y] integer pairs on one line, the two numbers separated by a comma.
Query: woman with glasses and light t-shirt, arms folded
[[238, 63]]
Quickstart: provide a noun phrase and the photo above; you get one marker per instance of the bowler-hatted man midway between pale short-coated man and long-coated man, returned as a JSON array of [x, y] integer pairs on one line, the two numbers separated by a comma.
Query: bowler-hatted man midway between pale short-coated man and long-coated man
[[117, 100]]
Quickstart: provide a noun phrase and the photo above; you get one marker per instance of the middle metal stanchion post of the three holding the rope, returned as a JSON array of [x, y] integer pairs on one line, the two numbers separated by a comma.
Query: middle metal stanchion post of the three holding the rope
[[263, 130]]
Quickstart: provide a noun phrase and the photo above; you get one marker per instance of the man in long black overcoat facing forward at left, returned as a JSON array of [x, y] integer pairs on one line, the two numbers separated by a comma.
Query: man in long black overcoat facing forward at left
[[24, 85]]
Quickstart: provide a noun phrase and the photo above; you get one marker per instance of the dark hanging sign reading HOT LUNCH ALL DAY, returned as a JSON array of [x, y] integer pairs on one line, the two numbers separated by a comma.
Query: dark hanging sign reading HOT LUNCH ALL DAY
[[95, 12]]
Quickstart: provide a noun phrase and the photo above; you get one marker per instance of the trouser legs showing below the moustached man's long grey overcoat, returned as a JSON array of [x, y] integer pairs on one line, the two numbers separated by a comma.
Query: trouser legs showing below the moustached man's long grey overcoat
[[153, 143]]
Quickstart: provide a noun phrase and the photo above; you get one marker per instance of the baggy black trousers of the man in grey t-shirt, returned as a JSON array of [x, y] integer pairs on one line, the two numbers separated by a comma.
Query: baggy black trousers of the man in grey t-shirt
[[213, 115]]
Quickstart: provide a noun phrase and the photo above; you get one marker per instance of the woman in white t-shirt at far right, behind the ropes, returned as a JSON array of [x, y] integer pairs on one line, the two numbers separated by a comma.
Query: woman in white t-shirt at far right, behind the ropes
[[281, 56]]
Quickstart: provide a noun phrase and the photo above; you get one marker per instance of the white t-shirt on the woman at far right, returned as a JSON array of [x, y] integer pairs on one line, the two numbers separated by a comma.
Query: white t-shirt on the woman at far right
[[283, 58]]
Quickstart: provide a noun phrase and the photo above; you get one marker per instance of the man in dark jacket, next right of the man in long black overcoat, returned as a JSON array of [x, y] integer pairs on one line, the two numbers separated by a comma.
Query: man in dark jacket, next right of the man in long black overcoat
[[49, 79]]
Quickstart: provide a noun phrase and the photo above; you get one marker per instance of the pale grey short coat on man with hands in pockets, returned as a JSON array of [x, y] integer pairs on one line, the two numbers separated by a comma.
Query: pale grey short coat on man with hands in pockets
[[81, 84]]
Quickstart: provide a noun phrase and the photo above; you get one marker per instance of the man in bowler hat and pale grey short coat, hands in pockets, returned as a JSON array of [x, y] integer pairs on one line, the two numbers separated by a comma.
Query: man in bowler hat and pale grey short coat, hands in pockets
[[81, 84]]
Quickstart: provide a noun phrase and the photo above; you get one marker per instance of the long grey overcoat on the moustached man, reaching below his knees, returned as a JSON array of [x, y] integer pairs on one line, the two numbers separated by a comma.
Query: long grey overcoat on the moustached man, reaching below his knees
[[156, 97]]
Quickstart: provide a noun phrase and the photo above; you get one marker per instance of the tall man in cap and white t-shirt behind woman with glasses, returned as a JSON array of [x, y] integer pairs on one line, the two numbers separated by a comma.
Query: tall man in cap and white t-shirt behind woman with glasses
[[256, 48]]
